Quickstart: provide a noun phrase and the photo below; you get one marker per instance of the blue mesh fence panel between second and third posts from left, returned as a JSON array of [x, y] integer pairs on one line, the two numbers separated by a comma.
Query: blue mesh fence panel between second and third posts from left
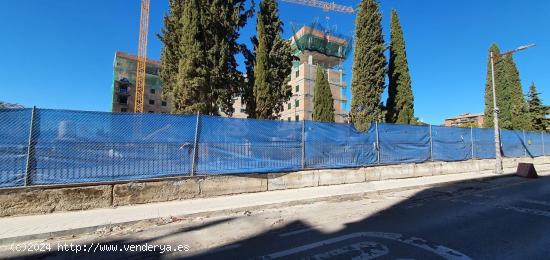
[[228, 145]]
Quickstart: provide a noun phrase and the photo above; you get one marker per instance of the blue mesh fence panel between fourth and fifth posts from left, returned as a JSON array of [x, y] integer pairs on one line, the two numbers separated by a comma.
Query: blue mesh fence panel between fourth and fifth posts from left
[[403, 143]]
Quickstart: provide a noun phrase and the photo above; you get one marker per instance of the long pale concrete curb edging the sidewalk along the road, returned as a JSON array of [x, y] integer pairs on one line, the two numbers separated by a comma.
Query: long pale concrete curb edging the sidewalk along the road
[[350, 196]]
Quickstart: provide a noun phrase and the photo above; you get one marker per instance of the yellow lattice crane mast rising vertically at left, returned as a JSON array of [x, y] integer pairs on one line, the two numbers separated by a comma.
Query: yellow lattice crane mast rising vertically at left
[[142, 56]]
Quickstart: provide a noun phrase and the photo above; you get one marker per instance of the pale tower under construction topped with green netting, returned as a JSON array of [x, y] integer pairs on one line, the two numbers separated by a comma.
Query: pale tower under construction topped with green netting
[[314, 45]]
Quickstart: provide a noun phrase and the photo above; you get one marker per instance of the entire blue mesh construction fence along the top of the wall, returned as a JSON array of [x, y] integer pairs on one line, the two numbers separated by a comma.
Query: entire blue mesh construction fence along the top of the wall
[[46, 147]]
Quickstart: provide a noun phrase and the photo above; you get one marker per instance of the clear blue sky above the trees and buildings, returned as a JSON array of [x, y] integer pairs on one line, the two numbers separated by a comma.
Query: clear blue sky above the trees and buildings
[[59, 54]]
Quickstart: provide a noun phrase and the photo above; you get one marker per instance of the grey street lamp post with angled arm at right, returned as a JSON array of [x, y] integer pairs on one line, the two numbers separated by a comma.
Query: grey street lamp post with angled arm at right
[[498, 152]]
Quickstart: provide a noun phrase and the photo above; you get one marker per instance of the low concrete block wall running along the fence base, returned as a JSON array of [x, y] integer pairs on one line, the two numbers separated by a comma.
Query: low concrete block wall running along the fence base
[[39, 200]]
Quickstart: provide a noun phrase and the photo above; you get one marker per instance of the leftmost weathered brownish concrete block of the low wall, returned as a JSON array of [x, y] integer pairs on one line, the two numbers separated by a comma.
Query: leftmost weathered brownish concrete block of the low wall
[[36, 200]]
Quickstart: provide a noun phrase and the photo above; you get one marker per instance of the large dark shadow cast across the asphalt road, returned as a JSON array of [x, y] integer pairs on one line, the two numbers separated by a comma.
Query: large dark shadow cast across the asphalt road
[[461, 220]]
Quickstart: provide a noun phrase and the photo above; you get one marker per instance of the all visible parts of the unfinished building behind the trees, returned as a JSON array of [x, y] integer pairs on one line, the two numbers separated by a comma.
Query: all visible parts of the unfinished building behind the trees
[[313, 45]]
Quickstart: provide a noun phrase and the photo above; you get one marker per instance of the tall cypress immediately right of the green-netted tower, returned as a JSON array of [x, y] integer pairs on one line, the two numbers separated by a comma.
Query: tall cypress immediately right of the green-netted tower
[[369, 66]]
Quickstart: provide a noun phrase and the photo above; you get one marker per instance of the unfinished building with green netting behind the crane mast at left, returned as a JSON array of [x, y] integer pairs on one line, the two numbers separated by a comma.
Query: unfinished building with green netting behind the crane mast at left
[[124, 79]]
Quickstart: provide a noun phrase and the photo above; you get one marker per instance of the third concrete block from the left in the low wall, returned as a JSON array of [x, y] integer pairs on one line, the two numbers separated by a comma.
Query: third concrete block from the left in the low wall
[[232, 184]]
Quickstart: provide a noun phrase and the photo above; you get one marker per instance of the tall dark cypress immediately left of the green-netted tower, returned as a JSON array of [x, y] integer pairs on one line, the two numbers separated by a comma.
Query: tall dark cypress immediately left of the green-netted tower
[[273, 63]]
